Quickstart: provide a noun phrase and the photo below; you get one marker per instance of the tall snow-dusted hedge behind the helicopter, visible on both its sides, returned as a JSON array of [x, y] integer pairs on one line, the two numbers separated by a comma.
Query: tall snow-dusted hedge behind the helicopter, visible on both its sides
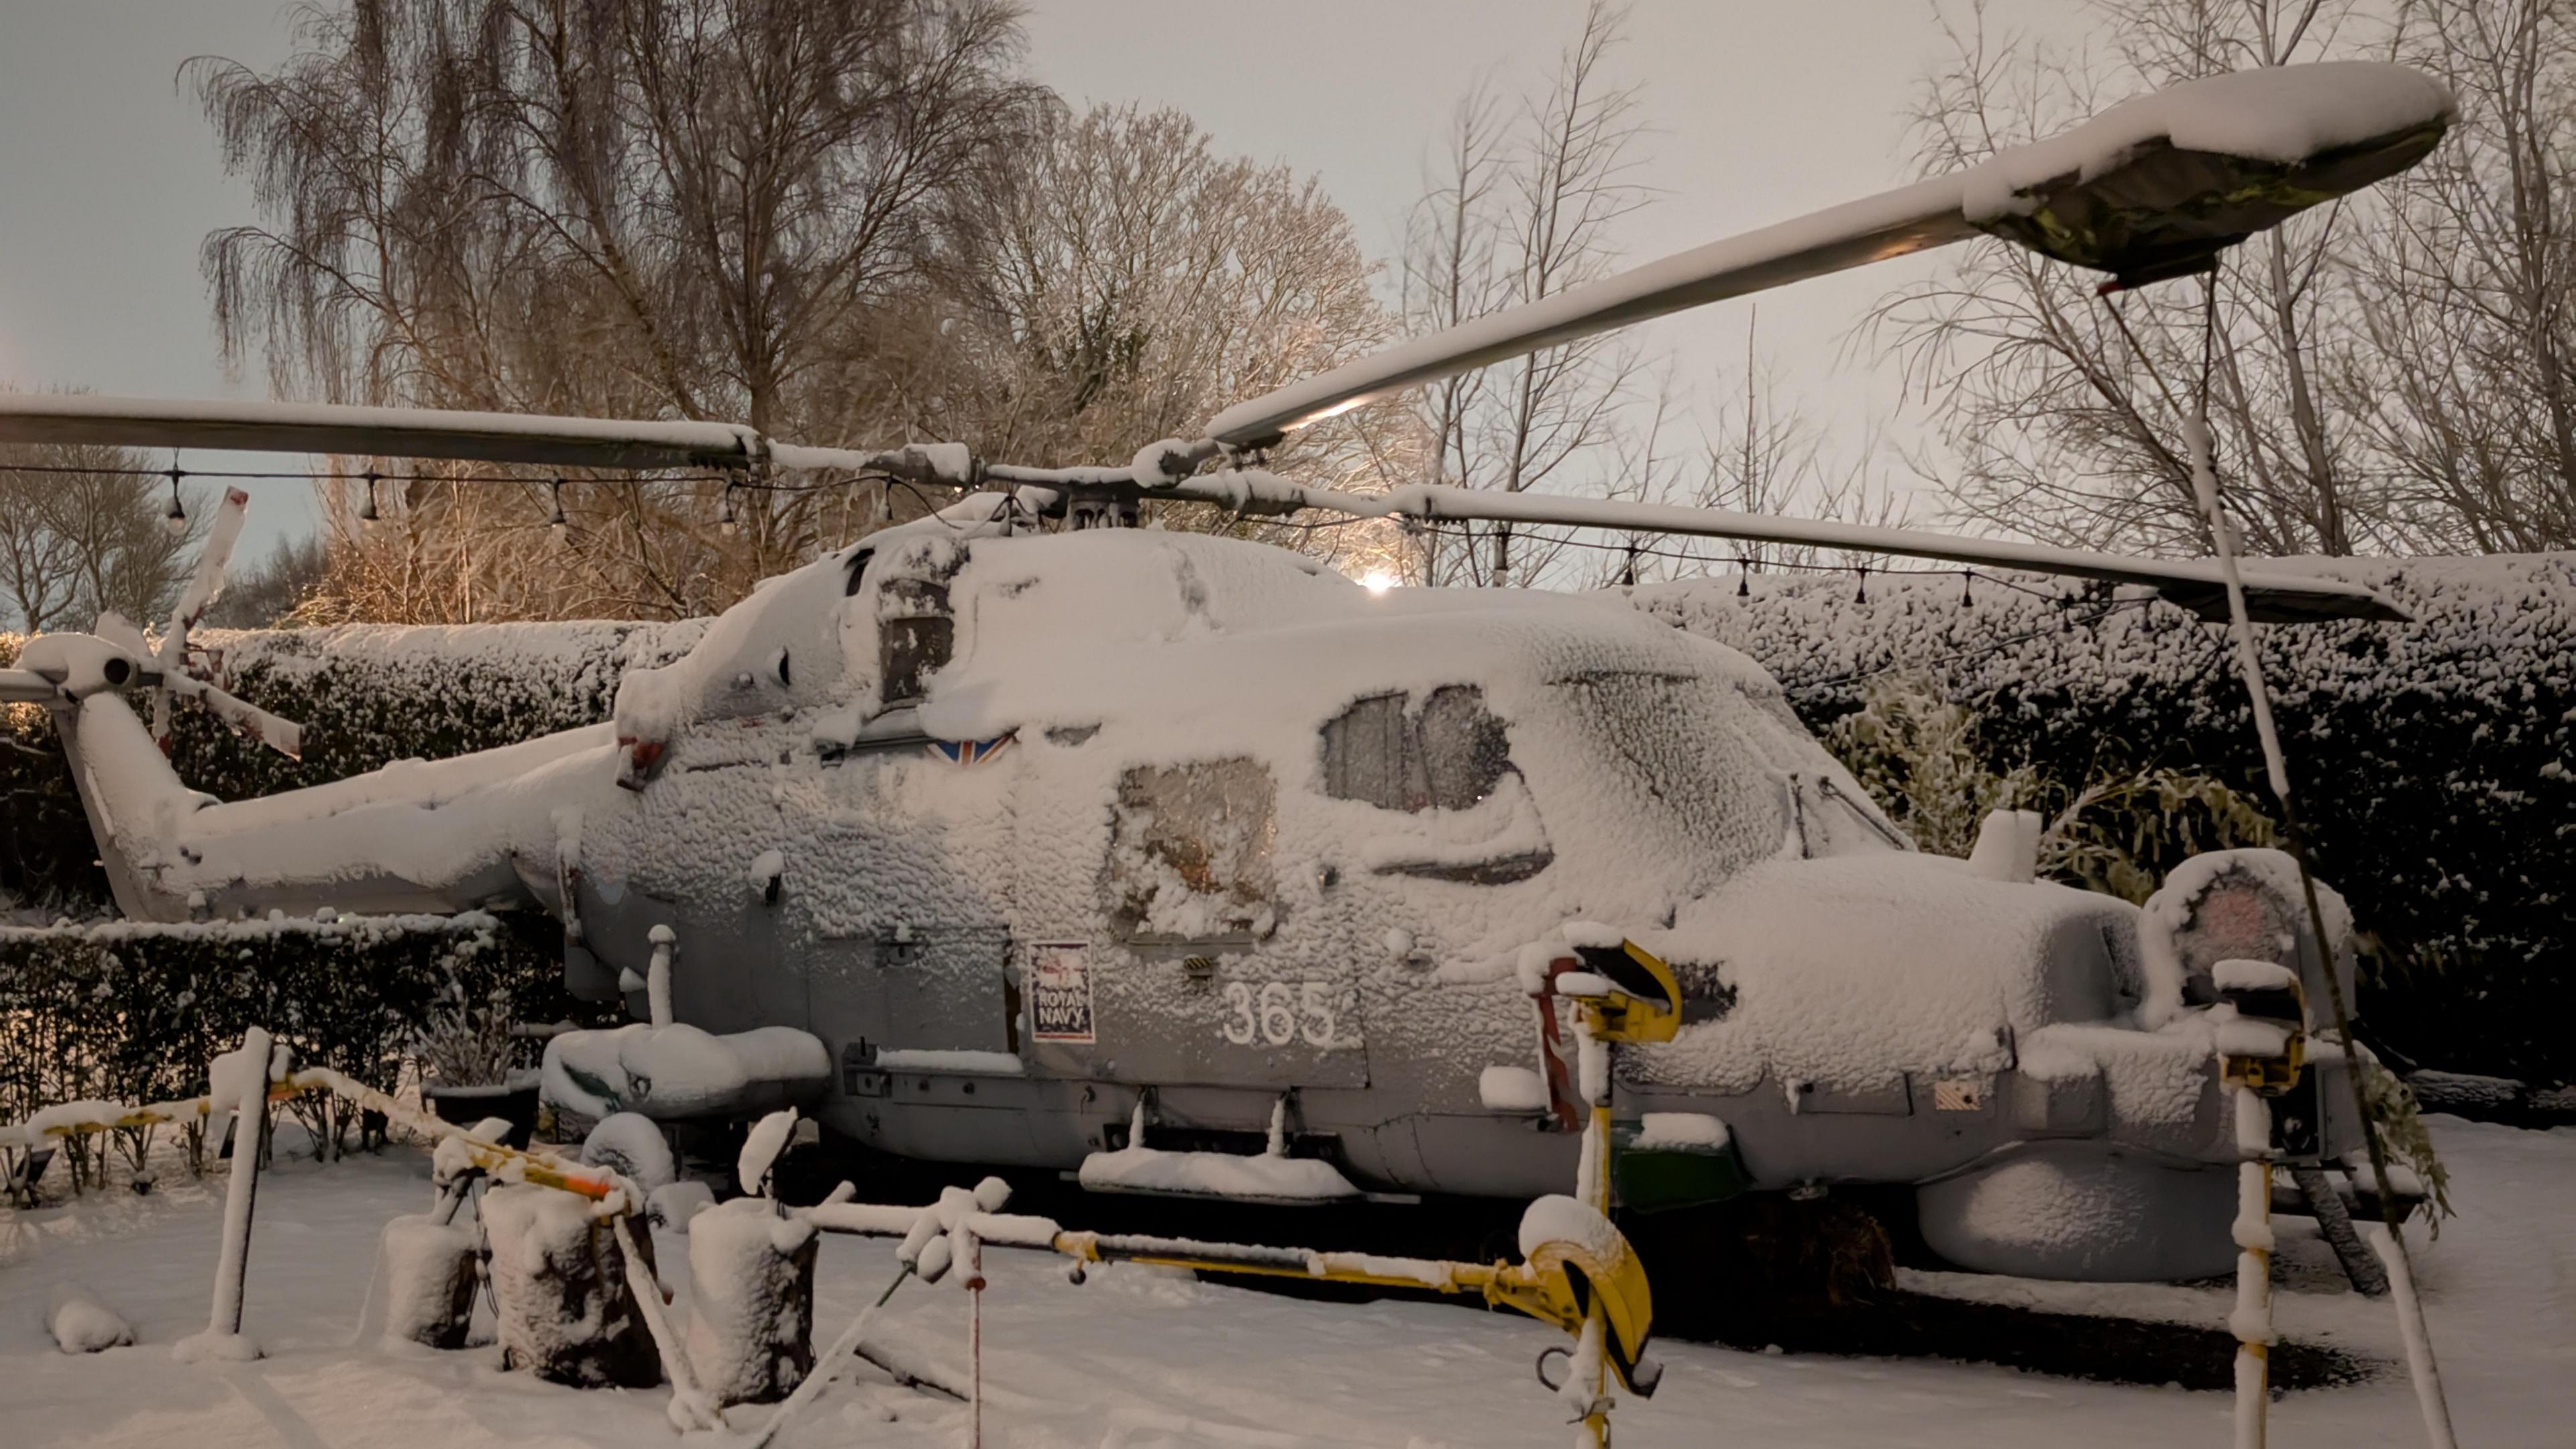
[[2433, 759]]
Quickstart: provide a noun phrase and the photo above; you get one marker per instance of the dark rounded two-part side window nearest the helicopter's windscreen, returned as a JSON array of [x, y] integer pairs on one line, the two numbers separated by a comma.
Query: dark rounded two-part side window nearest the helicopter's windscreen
[[1452, 754]]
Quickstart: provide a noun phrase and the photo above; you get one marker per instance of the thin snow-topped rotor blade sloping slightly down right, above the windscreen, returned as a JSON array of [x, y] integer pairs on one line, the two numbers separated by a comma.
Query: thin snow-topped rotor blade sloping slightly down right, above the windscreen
[[2193, 584]]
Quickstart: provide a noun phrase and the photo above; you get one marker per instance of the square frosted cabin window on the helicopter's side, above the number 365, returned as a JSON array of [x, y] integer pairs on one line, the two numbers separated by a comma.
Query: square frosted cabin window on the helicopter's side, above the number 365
[[1191, 850]]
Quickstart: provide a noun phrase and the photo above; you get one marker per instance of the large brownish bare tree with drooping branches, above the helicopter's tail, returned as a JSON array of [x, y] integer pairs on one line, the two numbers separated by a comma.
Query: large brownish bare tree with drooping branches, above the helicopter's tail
[[638, 208]]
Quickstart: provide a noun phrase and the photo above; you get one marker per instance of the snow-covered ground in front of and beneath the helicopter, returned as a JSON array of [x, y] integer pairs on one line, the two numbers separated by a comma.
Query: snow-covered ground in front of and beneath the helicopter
[[1150, 1360]]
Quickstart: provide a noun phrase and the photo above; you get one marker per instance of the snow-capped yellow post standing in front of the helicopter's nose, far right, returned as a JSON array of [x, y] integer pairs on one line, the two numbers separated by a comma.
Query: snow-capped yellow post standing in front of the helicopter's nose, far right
[[2260, 1017]]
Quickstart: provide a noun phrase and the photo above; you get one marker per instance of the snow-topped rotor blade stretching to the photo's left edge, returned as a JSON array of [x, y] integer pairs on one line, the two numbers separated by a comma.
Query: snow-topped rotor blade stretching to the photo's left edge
[[370, 432]]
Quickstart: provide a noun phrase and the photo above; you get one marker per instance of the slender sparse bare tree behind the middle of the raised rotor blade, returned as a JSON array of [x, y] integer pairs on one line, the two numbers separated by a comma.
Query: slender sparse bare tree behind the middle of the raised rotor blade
[[1516, 215]]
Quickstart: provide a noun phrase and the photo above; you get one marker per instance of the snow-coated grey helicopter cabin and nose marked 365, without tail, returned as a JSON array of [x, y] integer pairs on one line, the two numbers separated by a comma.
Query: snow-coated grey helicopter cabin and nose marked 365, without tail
[[1194, 816]]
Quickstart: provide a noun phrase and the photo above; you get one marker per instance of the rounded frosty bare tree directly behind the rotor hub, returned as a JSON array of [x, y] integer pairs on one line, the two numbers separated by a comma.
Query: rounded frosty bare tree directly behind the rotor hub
[[1130, 282]]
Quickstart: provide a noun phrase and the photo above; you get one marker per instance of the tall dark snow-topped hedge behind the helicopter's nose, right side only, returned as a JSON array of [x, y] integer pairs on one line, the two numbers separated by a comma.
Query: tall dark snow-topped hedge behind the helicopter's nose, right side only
[[2430, 759]]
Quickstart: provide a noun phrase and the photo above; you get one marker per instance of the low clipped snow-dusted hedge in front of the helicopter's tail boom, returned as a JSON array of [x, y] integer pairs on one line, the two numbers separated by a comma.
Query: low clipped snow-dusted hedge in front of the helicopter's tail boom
[[133, 1012]]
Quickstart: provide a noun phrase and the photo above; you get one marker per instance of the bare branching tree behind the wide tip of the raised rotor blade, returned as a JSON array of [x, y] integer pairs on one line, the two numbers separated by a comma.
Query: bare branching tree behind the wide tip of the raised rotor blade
[[2062, 411]]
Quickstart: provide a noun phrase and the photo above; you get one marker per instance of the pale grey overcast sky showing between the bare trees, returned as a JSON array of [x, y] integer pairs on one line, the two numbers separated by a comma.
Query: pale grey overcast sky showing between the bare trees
[[1758, 110]]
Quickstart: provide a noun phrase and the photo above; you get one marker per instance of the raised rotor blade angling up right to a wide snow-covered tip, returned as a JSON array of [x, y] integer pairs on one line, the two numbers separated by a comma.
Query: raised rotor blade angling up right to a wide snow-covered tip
[[2150, 190]]
